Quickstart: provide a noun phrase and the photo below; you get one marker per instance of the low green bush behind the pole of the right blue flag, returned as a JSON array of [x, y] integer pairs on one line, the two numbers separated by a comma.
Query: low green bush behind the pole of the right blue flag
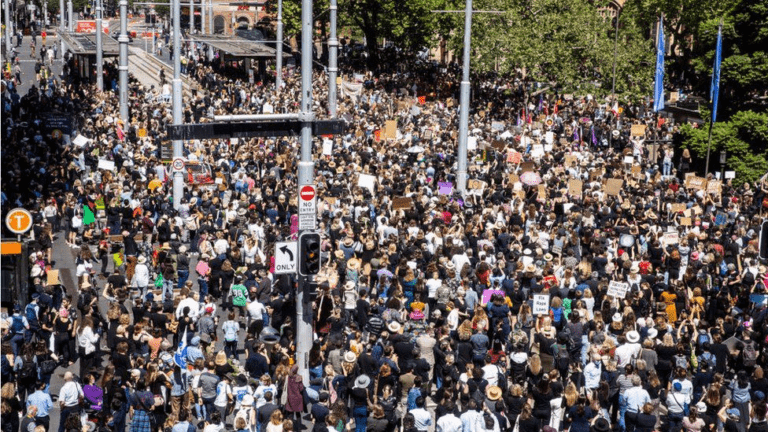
[[744, 138]]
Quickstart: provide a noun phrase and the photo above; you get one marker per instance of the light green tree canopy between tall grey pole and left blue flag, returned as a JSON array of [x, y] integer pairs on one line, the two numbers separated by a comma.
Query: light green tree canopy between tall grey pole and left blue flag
[[568, 42]]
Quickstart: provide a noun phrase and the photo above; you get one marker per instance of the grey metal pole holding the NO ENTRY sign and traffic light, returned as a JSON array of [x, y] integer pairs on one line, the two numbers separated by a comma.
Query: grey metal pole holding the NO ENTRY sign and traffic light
[[306, 177]]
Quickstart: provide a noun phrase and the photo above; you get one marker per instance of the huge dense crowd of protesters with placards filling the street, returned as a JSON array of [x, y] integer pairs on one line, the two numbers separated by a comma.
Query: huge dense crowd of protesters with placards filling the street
[[584, 282]]
